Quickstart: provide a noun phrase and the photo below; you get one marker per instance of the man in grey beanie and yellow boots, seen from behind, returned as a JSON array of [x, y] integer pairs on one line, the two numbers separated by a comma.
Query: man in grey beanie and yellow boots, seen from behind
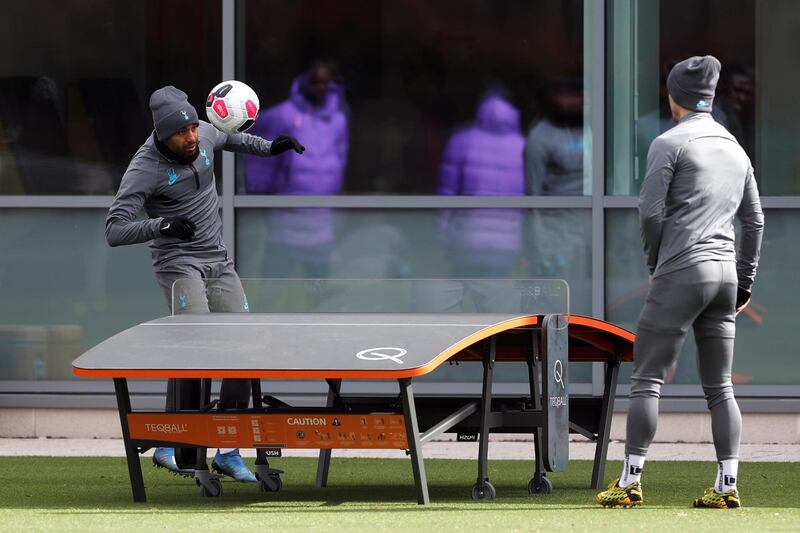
[[698, 179]]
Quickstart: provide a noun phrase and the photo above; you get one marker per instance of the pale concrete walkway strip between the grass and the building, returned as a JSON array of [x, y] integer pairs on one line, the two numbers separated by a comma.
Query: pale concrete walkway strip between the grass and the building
[[500, 448]]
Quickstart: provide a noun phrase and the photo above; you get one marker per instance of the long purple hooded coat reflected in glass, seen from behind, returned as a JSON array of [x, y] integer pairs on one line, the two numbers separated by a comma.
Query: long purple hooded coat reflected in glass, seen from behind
[[484, 159]]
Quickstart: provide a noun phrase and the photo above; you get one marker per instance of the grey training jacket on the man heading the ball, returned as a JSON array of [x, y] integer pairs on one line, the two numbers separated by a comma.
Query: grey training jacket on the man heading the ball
[[167, 188]]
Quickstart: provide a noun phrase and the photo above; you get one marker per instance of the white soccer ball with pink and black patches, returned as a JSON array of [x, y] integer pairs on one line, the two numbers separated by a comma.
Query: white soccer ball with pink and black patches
[[232, 106]]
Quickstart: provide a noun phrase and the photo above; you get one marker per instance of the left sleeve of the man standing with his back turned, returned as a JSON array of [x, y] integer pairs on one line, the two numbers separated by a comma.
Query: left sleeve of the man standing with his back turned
[[653, 196]]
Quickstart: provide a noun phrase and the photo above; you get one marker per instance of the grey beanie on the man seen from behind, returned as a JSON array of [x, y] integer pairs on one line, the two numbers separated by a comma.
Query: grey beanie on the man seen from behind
[[692, 82]]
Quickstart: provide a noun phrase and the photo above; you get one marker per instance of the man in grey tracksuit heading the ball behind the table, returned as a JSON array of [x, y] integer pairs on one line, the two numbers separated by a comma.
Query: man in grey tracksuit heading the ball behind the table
[[171, 177]]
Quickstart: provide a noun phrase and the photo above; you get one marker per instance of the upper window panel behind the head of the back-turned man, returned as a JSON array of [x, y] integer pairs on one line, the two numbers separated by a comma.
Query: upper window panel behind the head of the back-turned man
[[755, 97]]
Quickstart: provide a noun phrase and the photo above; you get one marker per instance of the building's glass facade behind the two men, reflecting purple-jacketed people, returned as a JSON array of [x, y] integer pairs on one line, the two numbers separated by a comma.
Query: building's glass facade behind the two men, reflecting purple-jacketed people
[[470, 115]]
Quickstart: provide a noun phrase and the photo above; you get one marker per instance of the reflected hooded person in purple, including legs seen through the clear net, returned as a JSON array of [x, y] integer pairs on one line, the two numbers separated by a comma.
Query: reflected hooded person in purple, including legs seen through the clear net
[[483, 159]]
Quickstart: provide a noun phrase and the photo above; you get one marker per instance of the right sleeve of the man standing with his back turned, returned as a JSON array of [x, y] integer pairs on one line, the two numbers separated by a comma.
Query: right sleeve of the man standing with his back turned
[[752, 219]]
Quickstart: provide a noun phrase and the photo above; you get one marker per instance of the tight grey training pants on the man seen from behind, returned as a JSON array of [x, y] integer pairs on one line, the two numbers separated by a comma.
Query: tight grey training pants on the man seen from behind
[[702, 296]]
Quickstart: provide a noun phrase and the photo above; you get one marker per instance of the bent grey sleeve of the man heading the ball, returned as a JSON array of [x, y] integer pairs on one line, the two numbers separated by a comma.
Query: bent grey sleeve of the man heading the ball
[[121, 224]]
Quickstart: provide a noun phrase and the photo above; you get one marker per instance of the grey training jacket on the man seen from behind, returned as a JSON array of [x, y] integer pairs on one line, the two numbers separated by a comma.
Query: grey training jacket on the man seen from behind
[[698, 179]]
